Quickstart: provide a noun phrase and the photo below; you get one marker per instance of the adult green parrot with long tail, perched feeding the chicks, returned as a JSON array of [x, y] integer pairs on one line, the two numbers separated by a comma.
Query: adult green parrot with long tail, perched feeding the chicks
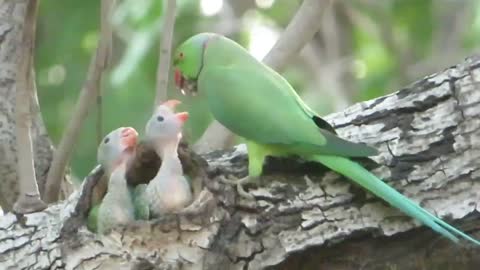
[[258, 104]]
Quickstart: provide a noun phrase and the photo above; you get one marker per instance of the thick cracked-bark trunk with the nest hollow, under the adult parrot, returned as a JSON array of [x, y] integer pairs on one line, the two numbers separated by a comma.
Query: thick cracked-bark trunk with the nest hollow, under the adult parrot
[[426, 135]]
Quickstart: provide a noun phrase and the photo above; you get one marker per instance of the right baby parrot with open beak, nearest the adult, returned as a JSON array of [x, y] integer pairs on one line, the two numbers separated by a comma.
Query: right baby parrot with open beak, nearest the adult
[[169, 191]]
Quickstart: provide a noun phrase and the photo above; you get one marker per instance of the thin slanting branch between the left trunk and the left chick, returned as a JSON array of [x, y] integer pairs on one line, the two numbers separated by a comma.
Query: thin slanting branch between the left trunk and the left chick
[[86, 100]]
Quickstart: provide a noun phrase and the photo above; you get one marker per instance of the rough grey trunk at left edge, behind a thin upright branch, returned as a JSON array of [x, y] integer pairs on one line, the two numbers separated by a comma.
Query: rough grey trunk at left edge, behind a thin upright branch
[[11, 27]]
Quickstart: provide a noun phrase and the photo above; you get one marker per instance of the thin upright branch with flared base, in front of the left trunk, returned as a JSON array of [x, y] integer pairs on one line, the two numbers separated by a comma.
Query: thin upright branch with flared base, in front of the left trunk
[[29, 199]]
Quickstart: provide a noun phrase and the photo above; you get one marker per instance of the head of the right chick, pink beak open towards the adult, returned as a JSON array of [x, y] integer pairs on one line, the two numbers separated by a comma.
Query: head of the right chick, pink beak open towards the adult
[[165, 124]]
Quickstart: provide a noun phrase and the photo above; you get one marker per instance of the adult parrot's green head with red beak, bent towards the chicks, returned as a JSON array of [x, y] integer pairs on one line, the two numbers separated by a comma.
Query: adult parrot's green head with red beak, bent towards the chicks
[[188, 62]]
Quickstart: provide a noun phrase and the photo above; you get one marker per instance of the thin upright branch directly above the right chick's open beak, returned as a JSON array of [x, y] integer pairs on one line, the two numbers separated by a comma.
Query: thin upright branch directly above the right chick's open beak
[[165, 52]]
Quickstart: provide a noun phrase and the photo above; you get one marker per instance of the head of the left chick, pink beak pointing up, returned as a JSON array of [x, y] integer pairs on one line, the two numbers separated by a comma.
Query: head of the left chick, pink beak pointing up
[[117, 147]]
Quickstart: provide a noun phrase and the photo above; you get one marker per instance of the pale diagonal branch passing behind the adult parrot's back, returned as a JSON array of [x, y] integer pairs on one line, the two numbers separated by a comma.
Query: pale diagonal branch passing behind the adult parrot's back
[[299, 32]]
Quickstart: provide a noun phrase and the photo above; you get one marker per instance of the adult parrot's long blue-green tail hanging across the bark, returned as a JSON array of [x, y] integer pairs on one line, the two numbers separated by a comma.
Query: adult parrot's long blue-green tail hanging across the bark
[[369, 181]]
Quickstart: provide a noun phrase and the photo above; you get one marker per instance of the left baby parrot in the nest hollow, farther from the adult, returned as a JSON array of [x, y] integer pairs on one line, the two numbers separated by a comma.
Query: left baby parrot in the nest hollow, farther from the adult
[[114, 152]]
